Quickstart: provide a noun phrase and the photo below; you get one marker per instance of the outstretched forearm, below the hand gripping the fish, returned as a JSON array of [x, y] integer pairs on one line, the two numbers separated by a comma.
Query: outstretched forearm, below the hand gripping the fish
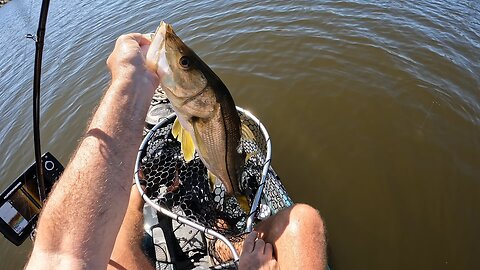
[[86, 209]]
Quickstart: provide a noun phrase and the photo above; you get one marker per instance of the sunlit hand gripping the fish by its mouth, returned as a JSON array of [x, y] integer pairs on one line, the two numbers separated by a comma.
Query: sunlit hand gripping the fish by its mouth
[[127, 62]]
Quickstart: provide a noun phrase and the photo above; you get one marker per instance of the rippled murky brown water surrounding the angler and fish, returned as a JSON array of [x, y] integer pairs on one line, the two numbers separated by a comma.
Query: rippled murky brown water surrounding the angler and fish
[[373, 108]]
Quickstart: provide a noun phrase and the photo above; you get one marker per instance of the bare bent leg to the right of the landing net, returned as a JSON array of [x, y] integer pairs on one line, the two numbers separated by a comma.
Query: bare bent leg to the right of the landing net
[[297, 235]]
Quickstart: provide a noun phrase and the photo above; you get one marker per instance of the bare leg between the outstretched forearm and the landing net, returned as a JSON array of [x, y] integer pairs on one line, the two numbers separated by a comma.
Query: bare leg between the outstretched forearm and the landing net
[[127, 252]]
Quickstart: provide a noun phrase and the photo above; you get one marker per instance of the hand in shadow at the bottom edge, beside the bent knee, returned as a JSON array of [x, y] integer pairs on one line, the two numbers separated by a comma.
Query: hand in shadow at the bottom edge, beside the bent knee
[[257, 254]]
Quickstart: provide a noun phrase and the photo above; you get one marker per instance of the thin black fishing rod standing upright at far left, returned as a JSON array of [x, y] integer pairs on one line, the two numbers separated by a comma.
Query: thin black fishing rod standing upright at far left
[[39, 41]]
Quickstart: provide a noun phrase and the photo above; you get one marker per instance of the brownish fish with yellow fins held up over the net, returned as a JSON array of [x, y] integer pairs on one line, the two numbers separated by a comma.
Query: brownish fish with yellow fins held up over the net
[[207, 119]]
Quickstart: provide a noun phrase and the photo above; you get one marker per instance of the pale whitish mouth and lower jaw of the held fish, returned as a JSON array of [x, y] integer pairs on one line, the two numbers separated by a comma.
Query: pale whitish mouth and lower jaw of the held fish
[[157, 55]]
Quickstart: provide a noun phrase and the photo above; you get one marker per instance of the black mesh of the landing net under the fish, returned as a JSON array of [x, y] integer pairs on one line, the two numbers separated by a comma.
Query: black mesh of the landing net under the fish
[[184, 188]]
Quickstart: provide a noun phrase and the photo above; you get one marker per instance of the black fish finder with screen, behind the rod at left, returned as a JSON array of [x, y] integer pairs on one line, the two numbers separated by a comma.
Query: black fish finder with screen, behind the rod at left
[[20, 203]]
